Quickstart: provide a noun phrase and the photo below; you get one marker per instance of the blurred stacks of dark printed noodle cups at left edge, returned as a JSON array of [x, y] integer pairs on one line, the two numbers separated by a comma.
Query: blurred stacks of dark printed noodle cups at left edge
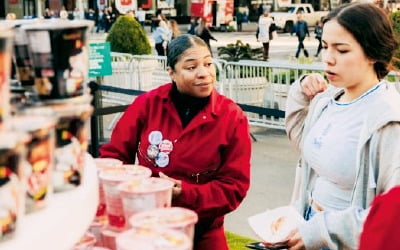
[[44, 138]]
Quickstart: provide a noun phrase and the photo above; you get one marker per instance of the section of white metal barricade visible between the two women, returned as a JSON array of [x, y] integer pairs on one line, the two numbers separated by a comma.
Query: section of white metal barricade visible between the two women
[[263, 84]]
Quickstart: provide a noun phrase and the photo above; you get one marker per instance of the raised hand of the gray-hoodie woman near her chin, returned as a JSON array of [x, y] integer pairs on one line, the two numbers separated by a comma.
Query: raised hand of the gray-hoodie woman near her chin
[[313, 84]]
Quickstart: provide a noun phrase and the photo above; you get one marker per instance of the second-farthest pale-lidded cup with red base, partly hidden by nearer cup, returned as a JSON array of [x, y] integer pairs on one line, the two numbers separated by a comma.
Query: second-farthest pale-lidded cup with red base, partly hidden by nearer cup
[[110, 179]]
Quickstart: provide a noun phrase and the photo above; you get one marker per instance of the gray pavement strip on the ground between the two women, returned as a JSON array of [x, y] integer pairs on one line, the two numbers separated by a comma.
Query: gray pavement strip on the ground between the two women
[[273, 164]]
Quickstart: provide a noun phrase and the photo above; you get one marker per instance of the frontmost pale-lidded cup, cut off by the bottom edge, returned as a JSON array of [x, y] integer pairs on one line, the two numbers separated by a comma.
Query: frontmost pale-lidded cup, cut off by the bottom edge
[[155, 239]]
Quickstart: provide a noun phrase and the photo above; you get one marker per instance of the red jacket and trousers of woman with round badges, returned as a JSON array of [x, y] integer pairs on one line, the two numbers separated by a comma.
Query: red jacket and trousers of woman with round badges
[[211, 155]]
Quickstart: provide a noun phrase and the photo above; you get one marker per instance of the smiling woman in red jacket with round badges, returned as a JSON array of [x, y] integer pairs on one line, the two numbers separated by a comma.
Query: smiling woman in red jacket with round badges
[[187, 132]]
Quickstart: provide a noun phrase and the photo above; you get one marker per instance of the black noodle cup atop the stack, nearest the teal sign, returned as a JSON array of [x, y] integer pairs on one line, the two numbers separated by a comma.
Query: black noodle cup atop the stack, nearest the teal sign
[[60, 57]]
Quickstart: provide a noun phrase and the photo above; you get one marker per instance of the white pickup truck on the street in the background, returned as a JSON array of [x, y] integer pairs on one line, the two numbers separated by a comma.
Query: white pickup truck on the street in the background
[[286, 17]]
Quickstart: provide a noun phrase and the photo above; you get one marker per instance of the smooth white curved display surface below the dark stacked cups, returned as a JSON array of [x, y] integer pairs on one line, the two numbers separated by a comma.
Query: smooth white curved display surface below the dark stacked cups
[[63, 221]]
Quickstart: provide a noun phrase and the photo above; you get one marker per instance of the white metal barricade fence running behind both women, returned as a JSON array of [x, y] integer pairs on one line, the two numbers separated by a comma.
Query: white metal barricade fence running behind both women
[[257, 83]]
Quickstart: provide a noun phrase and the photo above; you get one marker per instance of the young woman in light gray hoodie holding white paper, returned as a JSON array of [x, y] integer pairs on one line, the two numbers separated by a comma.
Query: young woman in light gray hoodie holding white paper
[[347, 131]]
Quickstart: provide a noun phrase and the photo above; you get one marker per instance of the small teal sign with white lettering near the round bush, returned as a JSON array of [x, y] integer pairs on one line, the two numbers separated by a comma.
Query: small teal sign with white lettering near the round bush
[[99, 59]]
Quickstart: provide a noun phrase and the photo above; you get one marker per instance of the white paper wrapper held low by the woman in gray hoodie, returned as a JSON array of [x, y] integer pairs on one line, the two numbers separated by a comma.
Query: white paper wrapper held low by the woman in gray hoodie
[[273, 226]]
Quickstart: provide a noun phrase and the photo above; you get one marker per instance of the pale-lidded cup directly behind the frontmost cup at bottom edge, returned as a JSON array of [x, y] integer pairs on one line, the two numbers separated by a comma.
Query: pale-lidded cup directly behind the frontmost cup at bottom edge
[[178, 218]]
